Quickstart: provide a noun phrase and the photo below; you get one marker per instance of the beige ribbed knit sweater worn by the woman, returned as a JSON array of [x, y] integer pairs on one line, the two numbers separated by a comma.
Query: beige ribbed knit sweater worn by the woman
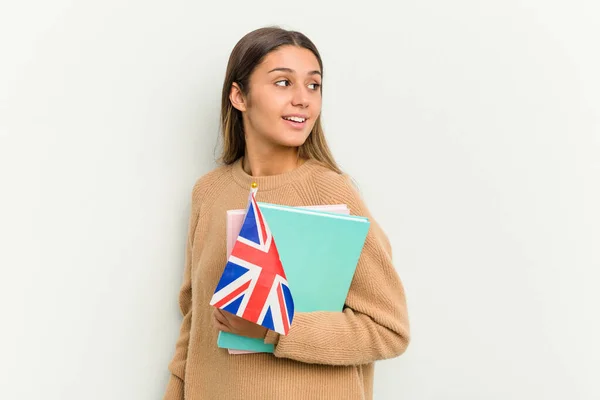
[[325, 355]]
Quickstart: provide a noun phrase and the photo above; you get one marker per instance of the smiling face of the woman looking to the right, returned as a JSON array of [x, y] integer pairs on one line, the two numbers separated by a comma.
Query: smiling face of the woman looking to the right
[[284, 98]]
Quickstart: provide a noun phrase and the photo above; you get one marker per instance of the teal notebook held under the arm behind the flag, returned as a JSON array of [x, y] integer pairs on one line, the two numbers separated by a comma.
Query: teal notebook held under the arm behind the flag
[[319, 251]]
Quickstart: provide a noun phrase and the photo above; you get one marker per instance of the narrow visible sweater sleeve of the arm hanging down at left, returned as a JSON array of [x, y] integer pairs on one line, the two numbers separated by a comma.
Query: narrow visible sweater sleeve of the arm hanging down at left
[[175, 386]]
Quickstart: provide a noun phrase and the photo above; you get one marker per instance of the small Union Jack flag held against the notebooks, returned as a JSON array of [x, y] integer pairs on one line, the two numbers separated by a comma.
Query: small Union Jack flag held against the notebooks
[[253, 285]]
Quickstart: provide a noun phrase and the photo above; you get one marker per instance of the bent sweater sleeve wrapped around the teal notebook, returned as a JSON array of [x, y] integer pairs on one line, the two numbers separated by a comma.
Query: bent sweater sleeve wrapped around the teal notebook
[[374, 323]]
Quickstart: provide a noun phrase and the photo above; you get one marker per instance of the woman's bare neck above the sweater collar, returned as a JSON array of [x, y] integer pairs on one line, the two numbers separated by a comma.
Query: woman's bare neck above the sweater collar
[[271, 161]]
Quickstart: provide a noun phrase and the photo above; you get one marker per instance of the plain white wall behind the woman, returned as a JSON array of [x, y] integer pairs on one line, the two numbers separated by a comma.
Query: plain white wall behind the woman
[[472, 128]]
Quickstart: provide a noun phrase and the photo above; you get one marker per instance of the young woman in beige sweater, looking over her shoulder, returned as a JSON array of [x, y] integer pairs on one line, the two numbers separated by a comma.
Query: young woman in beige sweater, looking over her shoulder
[[272, 135]]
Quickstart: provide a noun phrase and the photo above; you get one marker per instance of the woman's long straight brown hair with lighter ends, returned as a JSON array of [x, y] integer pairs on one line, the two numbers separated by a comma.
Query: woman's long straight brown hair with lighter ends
[[245, 56]]
